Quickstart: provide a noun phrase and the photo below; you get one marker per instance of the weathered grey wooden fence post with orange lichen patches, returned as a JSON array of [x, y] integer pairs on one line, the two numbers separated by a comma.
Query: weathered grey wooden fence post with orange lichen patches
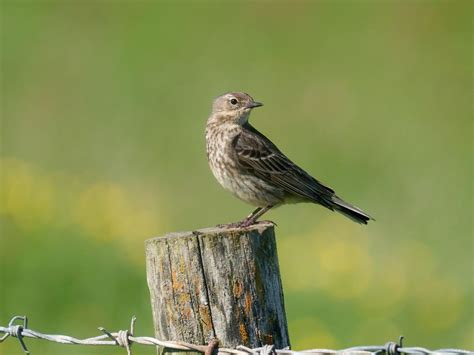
[[215, 282]]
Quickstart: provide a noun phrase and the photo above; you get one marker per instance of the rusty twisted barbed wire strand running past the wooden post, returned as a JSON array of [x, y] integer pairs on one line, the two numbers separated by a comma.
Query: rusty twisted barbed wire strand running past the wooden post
[[125, 339]]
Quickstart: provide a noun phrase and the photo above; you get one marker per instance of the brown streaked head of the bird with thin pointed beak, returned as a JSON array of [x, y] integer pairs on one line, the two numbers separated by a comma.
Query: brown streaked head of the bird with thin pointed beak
[[234, 106]]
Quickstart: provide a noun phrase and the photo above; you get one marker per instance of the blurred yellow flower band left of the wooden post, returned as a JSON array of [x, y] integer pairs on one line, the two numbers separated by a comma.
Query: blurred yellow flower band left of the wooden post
[[103, 210]]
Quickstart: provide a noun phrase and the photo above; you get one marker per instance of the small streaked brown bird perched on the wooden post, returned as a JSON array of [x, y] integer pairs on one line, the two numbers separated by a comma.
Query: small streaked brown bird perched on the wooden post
[[251, 167]]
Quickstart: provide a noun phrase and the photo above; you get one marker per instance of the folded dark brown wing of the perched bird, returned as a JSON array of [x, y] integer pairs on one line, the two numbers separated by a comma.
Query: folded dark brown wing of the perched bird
[[258, 154]]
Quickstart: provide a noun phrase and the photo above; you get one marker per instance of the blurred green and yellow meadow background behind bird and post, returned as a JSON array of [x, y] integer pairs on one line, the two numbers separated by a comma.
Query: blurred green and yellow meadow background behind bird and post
[[104, 105]]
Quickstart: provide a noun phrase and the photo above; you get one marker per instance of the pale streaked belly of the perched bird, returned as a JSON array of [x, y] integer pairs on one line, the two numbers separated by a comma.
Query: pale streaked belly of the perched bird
[[248, 188]]
